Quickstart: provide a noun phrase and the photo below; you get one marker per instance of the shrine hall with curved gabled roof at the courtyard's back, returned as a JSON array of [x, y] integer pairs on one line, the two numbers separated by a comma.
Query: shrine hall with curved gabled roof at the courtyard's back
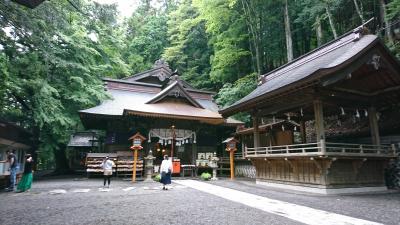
[[176, 118]]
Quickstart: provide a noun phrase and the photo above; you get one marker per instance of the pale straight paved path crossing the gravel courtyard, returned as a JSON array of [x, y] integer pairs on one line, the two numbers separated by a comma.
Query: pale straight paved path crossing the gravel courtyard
[[292, 211]]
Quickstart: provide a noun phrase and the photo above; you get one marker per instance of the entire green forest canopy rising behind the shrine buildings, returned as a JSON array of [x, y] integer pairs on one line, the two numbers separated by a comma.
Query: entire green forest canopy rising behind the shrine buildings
[[52, 58]]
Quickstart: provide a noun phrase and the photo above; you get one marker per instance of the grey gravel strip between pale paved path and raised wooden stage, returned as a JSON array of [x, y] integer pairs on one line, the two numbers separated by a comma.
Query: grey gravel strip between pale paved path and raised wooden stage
[[378, 207]]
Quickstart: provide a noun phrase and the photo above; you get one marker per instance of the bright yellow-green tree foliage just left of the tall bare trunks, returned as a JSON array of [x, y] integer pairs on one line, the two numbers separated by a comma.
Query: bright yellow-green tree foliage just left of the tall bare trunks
[[228, 39]]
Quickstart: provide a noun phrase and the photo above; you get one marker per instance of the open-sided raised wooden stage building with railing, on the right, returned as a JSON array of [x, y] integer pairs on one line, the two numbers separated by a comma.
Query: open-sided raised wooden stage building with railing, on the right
[[345, 96]]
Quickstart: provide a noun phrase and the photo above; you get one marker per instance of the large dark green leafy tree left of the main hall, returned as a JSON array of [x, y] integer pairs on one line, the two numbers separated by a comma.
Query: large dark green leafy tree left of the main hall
[[52, 69]]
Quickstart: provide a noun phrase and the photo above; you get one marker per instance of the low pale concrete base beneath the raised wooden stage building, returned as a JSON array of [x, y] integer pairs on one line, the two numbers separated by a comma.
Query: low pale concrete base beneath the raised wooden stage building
[[324, 191]]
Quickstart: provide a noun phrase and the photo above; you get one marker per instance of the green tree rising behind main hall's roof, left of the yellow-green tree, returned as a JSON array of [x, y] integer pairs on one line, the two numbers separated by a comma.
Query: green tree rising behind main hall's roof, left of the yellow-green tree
[[189, 51]]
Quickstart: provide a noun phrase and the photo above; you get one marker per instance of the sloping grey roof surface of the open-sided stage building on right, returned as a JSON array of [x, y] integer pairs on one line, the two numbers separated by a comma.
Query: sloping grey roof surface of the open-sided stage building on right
[[328, 56]]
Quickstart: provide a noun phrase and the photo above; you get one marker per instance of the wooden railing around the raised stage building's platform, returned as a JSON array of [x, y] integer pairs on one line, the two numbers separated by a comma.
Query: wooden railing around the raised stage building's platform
[[322, 148]]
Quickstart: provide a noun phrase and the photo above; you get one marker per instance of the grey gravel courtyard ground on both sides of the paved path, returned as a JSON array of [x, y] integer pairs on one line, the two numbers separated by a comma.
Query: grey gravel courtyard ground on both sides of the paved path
[[148, 204]]
